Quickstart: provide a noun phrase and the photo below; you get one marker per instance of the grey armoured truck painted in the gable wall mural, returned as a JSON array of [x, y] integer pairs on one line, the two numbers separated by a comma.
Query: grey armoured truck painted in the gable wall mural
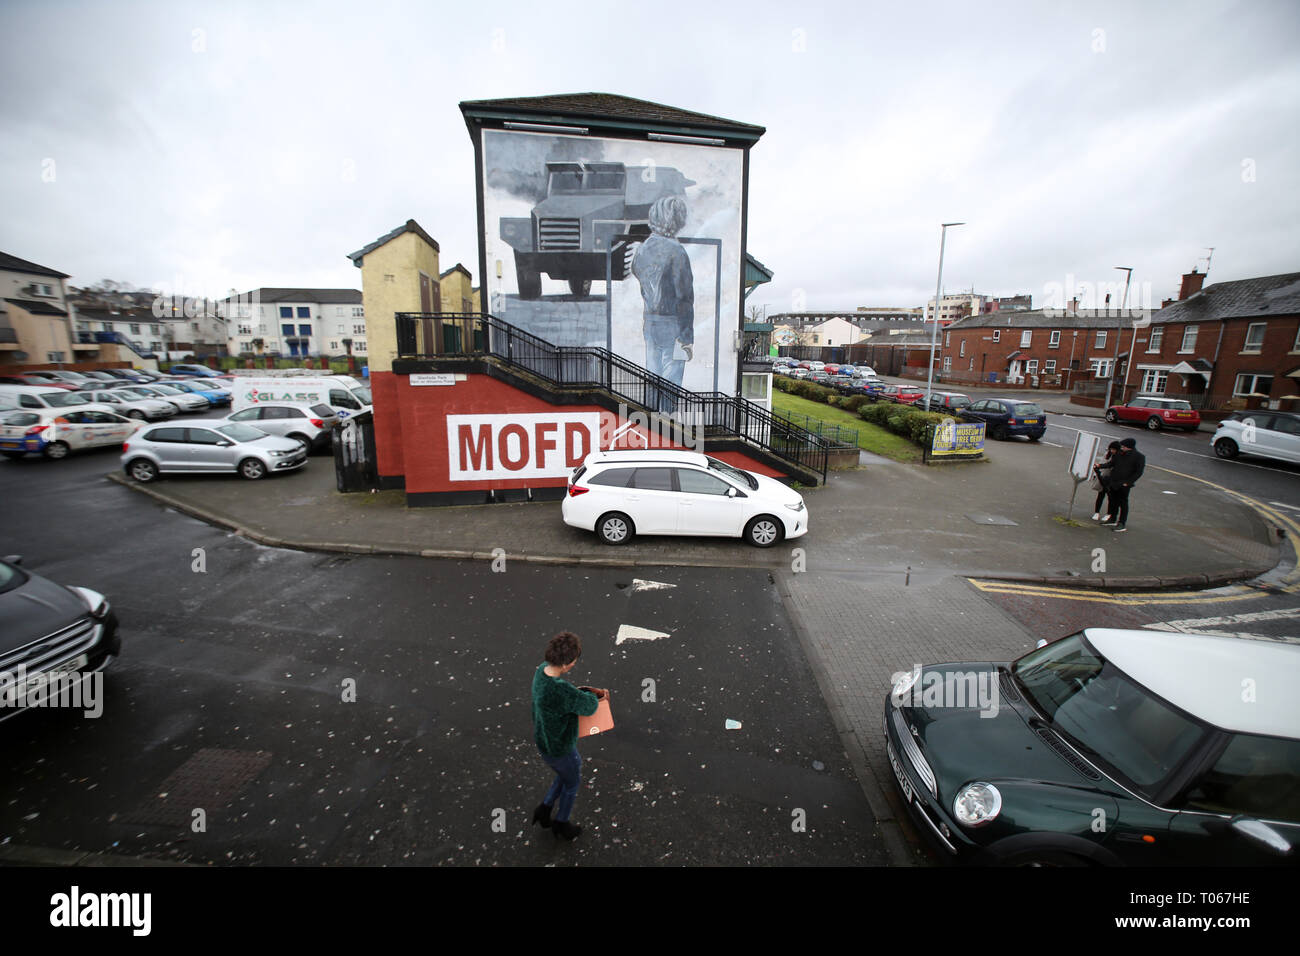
[[590, 210]]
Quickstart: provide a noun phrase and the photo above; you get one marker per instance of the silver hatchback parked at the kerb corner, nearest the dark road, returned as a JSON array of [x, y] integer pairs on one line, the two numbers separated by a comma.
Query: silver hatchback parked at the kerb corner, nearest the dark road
[[220, 448]]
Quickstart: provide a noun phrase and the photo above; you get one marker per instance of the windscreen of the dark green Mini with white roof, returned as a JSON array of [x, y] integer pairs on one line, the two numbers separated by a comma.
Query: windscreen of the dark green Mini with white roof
[[1106, 715]]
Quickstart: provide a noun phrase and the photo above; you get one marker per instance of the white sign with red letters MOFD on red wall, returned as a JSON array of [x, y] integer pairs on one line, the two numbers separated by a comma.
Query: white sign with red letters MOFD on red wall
[[519, 447]]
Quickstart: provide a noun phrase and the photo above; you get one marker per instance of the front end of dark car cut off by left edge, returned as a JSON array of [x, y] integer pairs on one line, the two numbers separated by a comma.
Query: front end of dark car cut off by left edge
[[49, 630]]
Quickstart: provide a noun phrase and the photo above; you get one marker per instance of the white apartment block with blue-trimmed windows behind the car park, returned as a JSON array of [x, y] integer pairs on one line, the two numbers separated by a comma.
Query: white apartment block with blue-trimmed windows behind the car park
[[296, 323]]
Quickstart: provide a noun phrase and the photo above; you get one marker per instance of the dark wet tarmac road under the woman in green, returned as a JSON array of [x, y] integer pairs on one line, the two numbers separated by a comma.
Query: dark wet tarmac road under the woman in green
[[229, 699]]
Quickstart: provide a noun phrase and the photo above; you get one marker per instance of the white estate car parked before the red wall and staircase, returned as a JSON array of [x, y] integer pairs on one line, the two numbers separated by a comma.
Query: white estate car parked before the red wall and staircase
[[619, 495]]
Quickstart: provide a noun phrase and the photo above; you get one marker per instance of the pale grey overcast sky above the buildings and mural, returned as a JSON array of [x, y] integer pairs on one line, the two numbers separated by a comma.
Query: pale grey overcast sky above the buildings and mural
[[201, 148]]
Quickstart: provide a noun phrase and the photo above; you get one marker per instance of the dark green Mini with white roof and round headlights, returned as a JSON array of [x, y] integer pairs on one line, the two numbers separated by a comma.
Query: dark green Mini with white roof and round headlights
[[1106, 749]]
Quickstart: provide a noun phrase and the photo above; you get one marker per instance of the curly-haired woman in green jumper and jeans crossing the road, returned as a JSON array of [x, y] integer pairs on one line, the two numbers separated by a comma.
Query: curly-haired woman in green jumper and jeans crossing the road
[[557, 706]]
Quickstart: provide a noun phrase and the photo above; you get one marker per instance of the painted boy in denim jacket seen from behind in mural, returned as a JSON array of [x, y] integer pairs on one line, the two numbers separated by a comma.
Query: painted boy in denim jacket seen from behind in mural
[[668, 287]]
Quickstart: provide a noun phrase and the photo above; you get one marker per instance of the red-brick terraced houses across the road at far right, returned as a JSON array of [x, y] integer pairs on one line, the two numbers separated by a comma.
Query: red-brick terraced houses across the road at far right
[[1229, 345]]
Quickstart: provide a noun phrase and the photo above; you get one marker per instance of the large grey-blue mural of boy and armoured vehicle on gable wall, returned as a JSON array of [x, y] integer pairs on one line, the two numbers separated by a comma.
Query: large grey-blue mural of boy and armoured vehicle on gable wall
[[627, 245]]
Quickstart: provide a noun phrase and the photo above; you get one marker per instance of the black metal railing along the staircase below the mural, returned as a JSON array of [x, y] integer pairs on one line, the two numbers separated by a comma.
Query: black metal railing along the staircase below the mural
[[426, 336]]
